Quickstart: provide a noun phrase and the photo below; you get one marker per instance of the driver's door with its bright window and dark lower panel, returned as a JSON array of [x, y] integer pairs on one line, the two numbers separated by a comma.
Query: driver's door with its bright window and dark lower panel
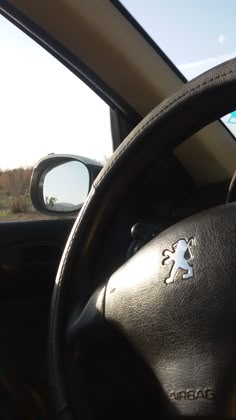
[[45, 108]]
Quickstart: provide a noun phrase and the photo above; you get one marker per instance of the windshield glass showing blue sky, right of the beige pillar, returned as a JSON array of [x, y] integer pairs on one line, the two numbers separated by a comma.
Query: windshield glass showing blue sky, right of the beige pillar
[[194, 35]]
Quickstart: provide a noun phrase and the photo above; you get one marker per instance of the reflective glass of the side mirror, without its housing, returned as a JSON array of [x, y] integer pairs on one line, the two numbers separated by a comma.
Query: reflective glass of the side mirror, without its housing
[[66, 186]]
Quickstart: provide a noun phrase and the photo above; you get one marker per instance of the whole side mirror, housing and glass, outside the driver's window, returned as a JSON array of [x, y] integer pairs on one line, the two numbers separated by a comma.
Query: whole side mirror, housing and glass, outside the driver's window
[[60, 183]]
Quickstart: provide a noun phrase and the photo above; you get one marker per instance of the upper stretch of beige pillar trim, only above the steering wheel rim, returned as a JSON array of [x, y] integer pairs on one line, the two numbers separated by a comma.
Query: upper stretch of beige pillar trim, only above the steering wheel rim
[[96, 32]]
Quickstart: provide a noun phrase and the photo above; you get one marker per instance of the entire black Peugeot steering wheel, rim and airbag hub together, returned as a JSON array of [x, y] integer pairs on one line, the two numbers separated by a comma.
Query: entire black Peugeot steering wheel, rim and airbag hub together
[[157, 337]]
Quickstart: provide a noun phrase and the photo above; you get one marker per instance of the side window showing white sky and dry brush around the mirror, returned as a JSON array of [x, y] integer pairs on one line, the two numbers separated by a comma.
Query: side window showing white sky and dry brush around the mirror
[[44, 109]]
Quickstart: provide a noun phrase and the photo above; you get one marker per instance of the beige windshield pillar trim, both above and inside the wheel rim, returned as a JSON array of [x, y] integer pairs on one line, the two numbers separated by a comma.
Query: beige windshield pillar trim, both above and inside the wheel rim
[[101, 37]]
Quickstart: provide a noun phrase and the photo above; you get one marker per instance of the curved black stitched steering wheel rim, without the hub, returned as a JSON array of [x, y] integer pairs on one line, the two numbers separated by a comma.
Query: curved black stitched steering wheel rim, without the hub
[[196, 104]]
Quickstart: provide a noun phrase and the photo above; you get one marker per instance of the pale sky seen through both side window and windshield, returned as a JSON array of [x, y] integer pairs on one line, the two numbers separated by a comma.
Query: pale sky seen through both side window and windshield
[[45, 108]]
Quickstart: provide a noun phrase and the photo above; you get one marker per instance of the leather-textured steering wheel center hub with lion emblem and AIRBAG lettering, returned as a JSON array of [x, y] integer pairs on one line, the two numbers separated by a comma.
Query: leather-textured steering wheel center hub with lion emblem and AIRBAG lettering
[[175, 301]]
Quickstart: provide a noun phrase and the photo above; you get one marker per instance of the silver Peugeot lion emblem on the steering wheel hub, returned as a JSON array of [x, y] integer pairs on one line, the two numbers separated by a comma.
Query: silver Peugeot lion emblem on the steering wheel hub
[[181, 257]]
